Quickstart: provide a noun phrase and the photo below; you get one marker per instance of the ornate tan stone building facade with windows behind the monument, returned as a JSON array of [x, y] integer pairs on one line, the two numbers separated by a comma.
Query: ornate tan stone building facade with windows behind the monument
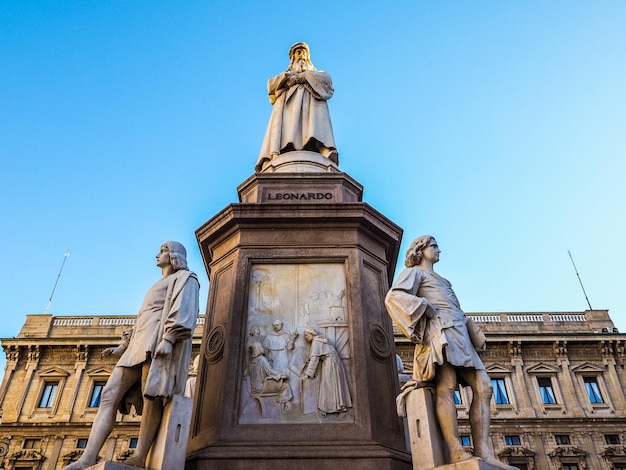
[[558, 381]]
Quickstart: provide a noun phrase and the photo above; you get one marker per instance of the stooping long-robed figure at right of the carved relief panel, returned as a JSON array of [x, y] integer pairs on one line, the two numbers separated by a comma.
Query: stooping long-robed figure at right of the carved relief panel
[[334, 390]]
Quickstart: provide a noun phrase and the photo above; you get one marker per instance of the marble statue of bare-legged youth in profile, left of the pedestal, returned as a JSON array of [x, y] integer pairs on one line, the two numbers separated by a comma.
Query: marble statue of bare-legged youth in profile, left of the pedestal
[[154, 357]]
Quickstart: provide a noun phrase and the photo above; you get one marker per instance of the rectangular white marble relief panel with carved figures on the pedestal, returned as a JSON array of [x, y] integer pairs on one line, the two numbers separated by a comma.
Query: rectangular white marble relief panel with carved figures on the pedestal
[[297, 348]]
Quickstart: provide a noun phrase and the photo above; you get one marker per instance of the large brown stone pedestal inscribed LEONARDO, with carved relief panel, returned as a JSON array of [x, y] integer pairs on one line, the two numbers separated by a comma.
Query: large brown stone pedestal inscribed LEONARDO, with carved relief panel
[[303, 249]]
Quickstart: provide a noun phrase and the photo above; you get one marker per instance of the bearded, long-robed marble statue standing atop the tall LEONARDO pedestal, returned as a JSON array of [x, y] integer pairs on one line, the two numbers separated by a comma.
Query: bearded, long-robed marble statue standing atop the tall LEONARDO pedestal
[[300, 118]]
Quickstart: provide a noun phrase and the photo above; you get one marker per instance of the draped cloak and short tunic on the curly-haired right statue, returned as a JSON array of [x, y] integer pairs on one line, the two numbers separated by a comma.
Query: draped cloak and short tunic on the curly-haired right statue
[[443, 338]]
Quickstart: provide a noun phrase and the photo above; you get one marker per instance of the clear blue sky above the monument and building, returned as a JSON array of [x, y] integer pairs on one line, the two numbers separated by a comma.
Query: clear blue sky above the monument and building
[[499, 127]]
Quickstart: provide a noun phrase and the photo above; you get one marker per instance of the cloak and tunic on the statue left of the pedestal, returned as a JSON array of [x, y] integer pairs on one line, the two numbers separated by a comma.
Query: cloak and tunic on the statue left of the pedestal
[[169, 311]]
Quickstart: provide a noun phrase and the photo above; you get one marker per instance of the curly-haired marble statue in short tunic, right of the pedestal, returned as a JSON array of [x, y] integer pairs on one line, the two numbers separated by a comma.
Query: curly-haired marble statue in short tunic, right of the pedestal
[[426, 309]]
